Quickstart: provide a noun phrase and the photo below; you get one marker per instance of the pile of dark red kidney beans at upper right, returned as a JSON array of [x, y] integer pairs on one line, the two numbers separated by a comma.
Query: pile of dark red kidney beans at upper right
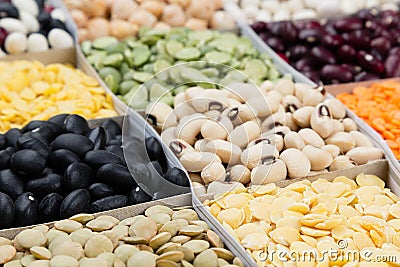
[[363, 46]]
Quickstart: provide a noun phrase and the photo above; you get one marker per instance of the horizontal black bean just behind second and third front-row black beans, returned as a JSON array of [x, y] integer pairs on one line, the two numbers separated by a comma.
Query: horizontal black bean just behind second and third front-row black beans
[[40, 187]]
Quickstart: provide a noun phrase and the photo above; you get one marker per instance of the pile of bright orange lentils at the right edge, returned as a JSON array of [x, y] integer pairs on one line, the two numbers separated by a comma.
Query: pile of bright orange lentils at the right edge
[[378, 105]]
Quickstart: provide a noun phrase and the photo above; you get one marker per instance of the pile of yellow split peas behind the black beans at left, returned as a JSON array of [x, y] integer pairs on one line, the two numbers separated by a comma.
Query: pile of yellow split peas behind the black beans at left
[[30, 90]]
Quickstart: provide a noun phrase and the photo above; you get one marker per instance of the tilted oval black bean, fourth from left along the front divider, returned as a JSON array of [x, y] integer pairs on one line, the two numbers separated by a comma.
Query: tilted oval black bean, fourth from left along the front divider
[[76, 202]]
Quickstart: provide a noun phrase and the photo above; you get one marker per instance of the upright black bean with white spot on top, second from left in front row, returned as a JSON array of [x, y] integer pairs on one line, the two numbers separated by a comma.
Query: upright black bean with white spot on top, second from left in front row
[[26, 209]]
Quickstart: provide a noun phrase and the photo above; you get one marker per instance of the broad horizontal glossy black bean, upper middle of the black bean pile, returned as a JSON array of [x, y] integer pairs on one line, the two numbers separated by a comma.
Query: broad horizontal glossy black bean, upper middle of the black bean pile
[[78, 144]]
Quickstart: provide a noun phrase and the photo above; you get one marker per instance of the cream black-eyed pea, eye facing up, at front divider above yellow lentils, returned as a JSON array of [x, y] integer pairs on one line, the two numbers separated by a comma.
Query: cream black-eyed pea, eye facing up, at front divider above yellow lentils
[[270, 171]]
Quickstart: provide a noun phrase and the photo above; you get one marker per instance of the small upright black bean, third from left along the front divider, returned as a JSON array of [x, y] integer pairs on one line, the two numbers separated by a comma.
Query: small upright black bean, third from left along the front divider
[[49, 207]]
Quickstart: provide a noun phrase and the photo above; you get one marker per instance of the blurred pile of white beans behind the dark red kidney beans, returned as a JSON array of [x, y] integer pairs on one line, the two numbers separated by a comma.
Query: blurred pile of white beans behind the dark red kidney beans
[[279, 10]]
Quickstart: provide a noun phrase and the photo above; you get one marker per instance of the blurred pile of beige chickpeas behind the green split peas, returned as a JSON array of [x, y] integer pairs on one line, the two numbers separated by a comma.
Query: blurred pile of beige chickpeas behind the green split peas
[[123, 18]]
